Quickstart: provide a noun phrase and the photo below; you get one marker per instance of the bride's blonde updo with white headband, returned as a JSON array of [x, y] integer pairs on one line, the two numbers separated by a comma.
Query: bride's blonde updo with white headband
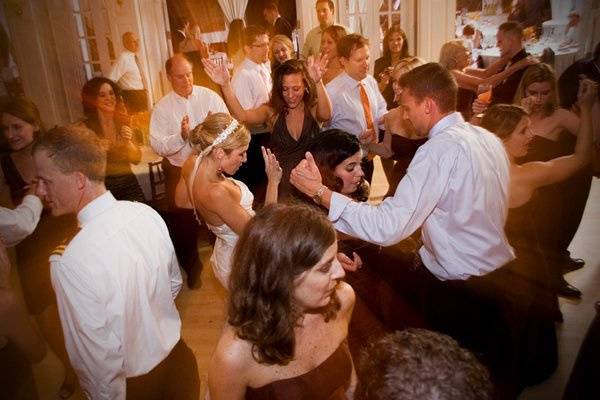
[[204, 135]]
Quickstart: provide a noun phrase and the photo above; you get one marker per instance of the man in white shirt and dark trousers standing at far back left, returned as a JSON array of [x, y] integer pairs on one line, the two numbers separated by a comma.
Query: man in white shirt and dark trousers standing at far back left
[[129, 74]]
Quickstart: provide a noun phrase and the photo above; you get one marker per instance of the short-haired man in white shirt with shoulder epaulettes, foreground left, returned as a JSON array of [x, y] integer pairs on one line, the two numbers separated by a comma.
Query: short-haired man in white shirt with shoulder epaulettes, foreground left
[[115, 281]]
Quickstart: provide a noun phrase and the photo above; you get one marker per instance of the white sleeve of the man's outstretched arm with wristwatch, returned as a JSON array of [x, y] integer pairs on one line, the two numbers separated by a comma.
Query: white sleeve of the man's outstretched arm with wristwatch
[[399, 216]]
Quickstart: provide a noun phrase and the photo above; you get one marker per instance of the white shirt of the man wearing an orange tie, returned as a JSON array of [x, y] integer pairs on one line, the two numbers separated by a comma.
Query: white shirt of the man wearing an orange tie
[[348, 112]]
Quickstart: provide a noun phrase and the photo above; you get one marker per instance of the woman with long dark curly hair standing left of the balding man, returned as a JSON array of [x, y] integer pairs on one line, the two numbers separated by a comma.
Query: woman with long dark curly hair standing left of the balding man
[[107, 117]]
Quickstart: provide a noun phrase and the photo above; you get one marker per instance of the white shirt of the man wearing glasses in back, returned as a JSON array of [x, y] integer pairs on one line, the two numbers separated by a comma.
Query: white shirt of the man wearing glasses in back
[[252, 85]]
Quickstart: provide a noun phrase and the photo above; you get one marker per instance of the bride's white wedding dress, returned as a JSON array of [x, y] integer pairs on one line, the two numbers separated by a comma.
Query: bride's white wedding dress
[[222, 255]]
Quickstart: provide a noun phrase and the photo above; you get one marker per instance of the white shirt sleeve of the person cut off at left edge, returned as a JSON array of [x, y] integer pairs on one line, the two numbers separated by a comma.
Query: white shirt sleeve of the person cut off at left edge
[[17, 224]]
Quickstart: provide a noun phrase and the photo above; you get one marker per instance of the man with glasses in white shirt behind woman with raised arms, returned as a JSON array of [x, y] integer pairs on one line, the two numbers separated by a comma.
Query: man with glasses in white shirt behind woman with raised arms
[[252, 85]]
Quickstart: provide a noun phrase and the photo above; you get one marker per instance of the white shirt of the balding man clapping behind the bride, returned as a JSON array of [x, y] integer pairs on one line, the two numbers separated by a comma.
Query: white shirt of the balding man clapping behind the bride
[[165, 123]]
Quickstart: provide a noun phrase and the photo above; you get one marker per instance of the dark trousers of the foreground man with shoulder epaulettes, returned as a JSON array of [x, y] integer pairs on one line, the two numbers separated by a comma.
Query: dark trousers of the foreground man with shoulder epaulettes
[[175, 377]]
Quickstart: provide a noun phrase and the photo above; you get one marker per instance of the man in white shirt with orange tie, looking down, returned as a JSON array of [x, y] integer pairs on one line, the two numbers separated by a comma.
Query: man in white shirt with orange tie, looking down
[[357, 104]]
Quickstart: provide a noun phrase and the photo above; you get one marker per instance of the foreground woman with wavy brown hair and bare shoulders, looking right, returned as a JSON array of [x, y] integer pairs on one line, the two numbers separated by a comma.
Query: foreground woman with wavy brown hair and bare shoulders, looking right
[[288, 312]]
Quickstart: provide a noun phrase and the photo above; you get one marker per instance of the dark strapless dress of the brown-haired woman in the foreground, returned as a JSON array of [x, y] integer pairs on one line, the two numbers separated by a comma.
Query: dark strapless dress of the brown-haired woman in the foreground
[[328, 381]]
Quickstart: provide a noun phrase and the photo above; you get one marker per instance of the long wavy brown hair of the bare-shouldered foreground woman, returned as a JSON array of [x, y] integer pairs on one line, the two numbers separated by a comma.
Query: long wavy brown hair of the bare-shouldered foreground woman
[[279, 244]]
